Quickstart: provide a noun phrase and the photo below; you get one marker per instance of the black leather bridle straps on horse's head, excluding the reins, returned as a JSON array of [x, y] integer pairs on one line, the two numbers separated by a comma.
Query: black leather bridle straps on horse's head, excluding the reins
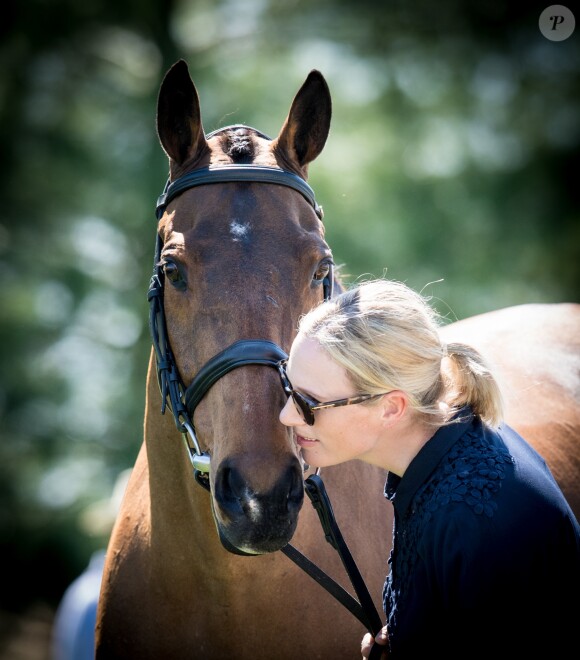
[[180, 400]]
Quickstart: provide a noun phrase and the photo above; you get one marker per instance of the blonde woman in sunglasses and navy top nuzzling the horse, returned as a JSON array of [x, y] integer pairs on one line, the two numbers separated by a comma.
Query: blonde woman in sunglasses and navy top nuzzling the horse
[[485, 557]]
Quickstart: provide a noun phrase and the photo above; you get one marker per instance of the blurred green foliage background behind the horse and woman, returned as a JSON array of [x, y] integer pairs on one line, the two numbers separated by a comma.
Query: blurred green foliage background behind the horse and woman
[[452, 164]]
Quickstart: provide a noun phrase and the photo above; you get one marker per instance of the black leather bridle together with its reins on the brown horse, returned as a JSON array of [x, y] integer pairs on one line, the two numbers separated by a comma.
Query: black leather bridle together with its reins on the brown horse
[[183, 401]]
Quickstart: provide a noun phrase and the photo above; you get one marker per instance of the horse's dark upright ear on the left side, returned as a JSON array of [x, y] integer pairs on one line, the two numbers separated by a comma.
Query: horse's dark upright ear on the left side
[[179, 124]]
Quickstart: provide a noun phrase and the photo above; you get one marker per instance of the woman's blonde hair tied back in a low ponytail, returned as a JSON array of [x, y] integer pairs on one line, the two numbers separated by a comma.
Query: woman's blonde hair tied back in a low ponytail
[[386, 337]]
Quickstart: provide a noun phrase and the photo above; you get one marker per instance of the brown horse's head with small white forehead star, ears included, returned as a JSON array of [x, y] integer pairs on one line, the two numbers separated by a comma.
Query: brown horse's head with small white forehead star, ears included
[[241, 256]]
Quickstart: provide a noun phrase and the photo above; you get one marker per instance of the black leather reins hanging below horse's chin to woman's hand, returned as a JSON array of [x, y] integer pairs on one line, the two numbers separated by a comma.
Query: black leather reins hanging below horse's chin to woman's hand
[[363, 608]]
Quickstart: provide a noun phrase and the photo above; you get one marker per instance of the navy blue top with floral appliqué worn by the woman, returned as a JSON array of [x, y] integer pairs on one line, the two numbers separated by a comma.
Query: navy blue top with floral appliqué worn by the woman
[[486, 551]]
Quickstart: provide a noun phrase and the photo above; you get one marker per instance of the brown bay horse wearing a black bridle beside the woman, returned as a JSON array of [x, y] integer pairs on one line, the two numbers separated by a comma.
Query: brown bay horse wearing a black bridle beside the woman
[[195, 567]]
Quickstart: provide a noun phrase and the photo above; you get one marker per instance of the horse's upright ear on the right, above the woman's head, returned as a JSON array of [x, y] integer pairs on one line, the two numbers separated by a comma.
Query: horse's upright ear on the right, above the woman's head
[[306, 128]]
